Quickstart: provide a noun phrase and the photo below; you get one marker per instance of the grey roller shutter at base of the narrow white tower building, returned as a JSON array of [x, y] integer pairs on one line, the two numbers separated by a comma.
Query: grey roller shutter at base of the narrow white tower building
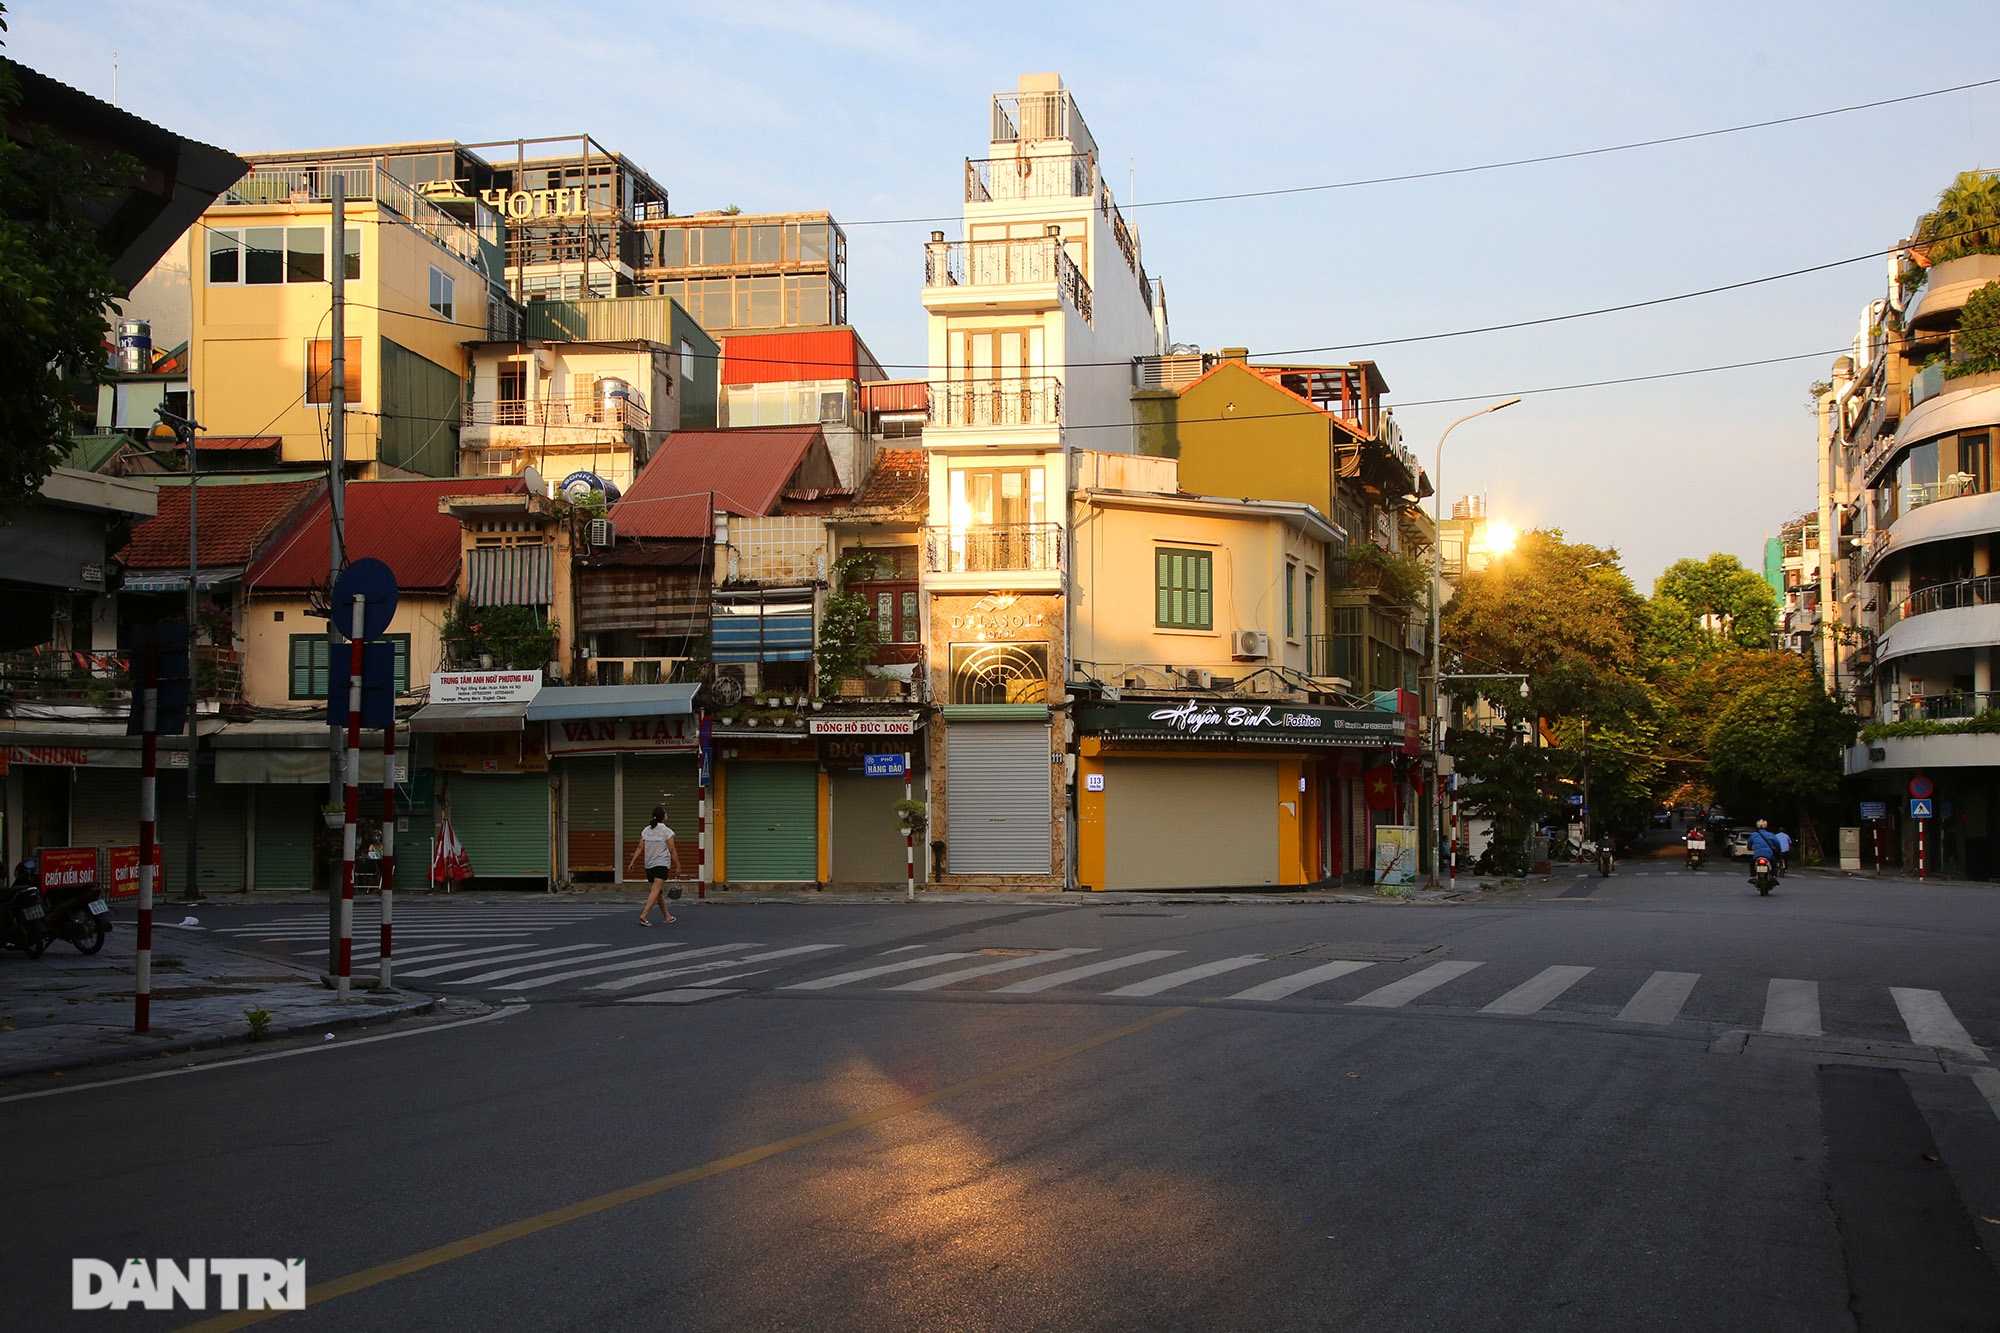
[[997, 786]]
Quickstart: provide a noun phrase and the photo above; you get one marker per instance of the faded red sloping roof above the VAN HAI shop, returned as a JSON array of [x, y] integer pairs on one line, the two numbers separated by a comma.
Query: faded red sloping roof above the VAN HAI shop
[[743, 471]]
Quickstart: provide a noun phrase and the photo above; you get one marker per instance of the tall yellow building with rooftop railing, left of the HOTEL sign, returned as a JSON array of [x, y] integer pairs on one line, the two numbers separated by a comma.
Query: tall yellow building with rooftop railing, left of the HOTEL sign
[[421, 283]]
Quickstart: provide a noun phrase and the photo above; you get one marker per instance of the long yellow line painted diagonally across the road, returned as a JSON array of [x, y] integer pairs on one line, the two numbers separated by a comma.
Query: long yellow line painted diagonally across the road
[[647, 1190]]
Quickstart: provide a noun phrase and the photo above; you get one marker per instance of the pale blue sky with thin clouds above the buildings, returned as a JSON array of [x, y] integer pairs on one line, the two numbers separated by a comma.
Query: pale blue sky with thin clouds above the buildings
[[871, 109]]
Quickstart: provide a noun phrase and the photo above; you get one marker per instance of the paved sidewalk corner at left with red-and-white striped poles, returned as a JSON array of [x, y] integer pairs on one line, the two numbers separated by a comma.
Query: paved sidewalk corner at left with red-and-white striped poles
[[69, 1012]]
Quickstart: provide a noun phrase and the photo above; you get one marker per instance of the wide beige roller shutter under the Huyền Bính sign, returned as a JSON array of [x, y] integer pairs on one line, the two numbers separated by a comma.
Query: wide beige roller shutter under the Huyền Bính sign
[[1191, 824]]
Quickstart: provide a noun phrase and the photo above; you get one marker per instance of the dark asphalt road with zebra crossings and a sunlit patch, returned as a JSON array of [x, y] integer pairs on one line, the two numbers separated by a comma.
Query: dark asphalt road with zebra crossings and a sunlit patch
[[1631, 1104]]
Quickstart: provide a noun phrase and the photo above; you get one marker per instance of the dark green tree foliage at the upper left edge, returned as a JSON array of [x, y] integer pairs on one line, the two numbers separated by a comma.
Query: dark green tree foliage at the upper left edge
[[55, 287]]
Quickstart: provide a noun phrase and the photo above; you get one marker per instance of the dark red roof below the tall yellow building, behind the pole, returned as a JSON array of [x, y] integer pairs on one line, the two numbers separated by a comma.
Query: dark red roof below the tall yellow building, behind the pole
[[393, 521]]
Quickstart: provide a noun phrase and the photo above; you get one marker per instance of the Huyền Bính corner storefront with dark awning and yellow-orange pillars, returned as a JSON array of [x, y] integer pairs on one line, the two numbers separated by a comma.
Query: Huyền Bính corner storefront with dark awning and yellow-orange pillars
[[1215, 794]]
